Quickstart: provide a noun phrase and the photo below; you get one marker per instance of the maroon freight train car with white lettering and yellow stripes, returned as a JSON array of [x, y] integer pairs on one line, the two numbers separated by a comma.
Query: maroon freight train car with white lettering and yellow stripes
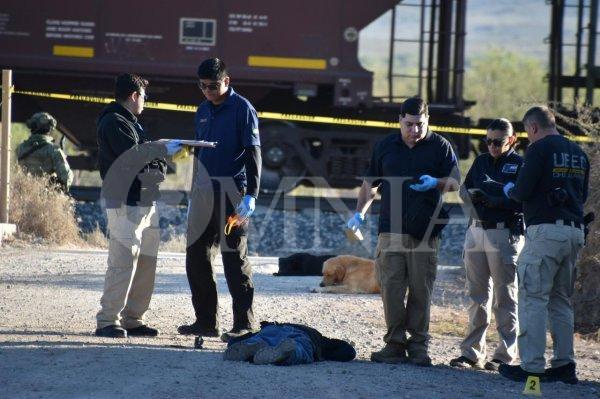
[[287, 57]]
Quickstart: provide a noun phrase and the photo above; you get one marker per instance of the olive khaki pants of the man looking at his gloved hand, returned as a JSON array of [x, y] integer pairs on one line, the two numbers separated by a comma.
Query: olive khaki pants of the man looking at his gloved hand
[[400, 265]]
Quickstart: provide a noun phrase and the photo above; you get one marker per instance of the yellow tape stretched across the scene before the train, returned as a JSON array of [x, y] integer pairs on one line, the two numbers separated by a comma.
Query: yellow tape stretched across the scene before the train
[[281, 116]]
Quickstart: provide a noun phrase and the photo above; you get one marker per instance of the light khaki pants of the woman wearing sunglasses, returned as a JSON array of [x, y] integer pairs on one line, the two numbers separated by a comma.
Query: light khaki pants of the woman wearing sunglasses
[[490, 262]]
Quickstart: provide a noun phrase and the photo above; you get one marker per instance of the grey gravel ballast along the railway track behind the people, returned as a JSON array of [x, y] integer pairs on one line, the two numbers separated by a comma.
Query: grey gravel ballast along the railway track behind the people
[[308, 230]]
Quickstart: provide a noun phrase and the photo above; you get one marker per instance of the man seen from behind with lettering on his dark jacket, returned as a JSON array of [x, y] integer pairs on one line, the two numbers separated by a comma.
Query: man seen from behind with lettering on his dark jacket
[[553, 187]]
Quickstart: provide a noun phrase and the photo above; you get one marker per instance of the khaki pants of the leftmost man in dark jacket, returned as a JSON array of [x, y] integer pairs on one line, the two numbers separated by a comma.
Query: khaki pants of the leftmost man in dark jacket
[[134, 236]]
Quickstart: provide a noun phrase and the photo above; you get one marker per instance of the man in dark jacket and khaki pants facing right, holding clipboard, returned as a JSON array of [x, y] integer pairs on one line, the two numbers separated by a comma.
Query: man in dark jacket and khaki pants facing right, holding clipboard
[[131, 168]]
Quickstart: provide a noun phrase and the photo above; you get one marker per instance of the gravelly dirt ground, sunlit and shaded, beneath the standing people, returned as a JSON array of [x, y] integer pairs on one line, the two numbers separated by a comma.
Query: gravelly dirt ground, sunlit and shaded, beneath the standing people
[[49, 297]]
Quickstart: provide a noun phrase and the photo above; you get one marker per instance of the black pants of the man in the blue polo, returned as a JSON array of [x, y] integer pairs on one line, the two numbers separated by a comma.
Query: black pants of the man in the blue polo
[[206, 222]]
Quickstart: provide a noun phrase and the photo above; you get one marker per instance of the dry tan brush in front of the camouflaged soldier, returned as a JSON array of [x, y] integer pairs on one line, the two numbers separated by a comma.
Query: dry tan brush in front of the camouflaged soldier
[[39, 210]]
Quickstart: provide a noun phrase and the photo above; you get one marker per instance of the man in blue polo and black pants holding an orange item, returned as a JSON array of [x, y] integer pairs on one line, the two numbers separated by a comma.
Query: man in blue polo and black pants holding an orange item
[[225, 183]]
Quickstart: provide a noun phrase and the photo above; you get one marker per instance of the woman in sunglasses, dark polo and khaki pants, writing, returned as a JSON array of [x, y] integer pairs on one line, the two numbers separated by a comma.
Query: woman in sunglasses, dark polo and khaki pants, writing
[[492, 243]]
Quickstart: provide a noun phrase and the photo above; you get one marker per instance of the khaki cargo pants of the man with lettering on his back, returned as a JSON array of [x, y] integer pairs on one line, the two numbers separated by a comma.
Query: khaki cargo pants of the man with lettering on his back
[[546, 269]]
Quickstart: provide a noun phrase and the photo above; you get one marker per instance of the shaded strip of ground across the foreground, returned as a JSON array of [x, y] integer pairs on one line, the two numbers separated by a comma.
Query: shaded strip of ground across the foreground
[[91, 369]]
